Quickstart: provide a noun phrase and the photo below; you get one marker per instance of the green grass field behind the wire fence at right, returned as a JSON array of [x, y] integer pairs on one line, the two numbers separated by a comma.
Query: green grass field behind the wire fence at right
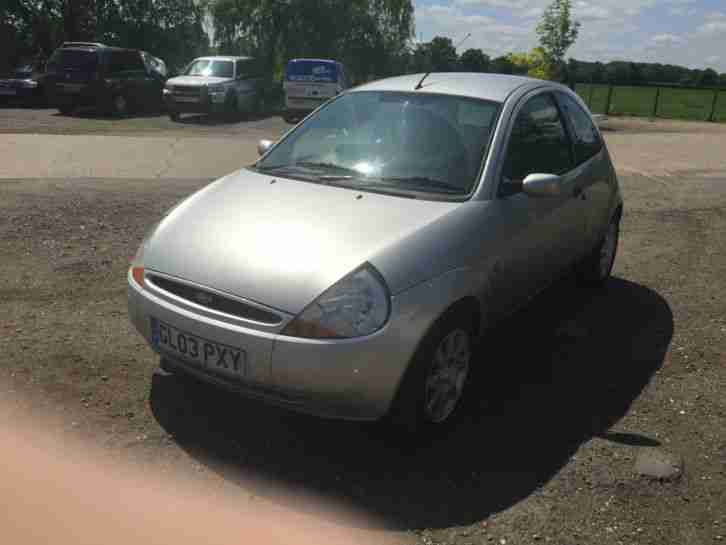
[[693, 104]]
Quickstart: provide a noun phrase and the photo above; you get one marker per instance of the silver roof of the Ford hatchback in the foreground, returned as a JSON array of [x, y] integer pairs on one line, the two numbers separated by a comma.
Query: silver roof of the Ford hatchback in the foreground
[[494, 87]]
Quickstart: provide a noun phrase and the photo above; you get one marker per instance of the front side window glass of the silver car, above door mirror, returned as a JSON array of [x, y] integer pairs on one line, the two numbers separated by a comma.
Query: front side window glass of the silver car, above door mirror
[[538, 143]]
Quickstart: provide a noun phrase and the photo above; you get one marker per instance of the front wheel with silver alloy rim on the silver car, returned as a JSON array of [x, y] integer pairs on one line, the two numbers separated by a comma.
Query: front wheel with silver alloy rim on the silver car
[[429, 396]]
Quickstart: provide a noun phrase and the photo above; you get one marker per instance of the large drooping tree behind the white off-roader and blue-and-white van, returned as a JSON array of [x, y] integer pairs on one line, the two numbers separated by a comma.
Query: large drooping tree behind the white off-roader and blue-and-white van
[[277, 30]]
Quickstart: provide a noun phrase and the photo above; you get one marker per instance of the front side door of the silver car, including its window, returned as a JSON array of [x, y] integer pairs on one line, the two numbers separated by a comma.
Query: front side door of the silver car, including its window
[[538, 237]]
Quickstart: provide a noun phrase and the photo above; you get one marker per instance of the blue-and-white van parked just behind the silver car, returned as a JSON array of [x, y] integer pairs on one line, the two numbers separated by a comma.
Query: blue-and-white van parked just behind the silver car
[[310, 82]]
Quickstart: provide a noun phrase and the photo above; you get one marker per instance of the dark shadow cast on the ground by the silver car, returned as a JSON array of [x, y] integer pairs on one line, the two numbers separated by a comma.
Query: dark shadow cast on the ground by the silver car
[[547, 380]]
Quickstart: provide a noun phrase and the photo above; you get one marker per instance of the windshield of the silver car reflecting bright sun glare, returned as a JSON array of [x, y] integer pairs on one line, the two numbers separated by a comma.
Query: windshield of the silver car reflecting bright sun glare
[[409, 142]]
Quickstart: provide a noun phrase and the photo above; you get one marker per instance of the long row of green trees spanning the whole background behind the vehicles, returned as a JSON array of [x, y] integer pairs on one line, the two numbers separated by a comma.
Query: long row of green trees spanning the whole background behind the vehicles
[[372, 37]]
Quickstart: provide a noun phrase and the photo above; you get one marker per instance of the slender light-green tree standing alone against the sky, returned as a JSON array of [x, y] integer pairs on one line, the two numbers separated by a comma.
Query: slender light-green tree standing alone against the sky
[[557, 32]]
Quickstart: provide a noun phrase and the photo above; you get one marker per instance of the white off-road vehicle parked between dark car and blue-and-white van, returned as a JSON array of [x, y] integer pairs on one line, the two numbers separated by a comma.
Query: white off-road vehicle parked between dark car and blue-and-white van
[[229, 85]]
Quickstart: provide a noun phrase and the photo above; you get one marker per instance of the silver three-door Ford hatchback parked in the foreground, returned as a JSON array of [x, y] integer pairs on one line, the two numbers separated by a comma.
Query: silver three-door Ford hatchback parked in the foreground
[[350, 271]]
